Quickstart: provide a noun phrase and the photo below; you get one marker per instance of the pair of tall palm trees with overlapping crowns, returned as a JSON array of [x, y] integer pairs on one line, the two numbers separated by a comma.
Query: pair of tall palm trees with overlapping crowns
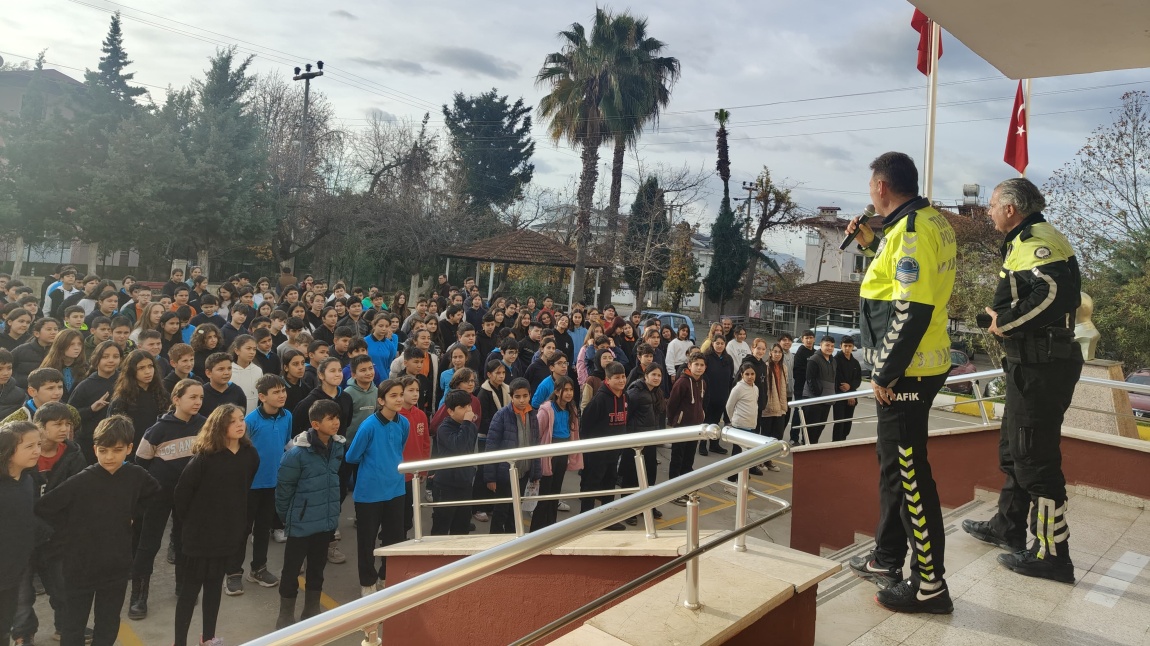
[[614, 78]]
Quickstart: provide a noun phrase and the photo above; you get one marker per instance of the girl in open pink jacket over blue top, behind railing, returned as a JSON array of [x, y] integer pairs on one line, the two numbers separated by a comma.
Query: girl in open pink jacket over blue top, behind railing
[[558, 424]]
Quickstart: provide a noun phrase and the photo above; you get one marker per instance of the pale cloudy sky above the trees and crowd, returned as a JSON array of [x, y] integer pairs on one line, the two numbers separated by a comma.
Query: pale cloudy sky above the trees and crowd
[[816, 89]]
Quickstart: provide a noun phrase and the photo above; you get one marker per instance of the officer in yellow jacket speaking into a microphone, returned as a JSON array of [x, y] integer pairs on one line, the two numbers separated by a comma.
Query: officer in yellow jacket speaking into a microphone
[[904, 337]]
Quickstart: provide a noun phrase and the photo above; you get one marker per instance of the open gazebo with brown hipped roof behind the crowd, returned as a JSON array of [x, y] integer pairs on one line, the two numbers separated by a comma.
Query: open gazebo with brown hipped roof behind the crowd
[[522, 248]]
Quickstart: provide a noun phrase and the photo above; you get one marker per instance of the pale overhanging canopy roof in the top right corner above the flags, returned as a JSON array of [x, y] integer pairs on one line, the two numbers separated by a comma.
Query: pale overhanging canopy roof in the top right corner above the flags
[[1038, 39]]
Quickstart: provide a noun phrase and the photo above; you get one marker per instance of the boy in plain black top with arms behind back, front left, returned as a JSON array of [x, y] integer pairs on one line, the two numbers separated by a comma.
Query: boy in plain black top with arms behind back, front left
[[91, 514]]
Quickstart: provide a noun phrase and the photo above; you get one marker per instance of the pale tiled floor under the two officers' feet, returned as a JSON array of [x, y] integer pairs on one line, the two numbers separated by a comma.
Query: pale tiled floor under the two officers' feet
[[1108, 606]]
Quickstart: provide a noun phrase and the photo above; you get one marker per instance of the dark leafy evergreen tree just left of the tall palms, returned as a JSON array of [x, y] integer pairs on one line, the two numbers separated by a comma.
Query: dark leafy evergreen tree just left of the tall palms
[[493, 141]]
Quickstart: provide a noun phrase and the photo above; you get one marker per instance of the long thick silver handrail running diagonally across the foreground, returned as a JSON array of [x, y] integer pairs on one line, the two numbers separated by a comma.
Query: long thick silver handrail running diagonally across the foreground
[[370, 611]]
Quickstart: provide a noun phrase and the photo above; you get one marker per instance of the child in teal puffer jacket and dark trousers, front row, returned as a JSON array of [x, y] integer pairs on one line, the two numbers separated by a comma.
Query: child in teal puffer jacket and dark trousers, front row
[[308, 502]]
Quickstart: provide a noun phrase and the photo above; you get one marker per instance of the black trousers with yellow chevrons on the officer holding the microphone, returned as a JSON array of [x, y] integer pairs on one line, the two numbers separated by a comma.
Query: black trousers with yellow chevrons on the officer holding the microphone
[[910, 518]]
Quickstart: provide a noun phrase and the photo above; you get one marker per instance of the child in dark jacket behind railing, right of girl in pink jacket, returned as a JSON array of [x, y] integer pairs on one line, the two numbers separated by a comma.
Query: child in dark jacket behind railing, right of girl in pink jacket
[[605, 416]]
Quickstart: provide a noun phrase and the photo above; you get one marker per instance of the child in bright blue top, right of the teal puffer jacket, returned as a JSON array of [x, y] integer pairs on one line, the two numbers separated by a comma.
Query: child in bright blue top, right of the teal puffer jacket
[[379, 495]]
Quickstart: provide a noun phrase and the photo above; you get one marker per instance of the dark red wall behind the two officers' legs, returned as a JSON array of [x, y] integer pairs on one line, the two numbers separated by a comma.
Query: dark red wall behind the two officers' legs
[[837, 490]]
